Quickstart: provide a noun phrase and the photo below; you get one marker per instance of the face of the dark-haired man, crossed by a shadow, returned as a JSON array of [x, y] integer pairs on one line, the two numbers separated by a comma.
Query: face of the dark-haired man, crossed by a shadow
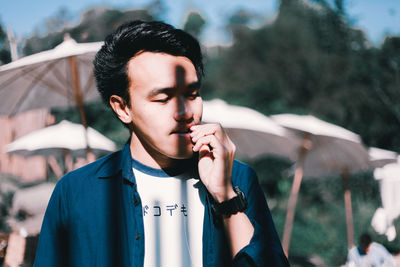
[[165, 103]]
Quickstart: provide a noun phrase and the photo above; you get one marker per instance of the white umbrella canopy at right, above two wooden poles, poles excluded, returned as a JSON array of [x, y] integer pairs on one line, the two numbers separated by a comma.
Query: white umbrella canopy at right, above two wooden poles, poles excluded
[[332, 148]]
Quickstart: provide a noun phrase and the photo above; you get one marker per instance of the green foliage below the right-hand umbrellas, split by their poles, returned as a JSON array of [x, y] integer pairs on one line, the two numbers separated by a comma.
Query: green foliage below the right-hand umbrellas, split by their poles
[[319, 228]]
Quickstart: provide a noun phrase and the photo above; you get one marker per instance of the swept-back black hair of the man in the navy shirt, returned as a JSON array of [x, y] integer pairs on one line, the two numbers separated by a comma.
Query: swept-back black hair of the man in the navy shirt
[[131, 38]]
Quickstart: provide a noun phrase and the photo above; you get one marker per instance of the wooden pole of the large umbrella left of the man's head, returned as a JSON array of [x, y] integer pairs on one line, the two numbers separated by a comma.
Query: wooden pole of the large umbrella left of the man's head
[[79, 102]]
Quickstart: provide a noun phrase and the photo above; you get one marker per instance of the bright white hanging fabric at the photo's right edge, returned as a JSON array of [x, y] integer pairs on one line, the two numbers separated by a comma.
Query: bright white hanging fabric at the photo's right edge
[[389, 180]]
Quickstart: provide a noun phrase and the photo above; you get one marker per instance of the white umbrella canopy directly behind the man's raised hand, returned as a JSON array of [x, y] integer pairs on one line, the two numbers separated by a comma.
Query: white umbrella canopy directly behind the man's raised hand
[[253, 133]]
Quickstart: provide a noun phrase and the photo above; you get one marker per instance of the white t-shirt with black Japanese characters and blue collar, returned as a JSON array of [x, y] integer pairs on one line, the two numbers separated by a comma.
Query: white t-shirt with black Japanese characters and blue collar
[[173, 215]]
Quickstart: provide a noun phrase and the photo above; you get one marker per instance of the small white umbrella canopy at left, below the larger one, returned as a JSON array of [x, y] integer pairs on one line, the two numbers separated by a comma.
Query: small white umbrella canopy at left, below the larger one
[[62, 136]]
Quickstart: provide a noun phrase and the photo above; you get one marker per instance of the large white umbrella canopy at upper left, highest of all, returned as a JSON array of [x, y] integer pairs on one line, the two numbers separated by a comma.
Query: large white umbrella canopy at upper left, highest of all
[[59, 77]]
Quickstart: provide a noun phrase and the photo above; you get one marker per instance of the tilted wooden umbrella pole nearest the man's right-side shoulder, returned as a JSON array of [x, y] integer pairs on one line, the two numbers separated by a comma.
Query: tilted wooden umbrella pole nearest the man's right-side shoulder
[[298, 176]]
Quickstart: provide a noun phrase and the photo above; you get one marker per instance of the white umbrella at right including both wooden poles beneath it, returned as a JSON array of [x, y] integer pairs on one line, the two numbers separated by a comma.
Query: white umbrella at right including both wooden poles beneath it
[[327, 149]]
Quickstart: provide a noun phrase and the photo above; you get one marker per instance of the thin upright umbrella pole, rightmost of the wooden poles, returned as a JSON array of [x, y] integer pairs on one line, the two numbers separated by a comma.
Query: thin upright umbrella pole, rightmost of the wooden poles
[[348, 208]]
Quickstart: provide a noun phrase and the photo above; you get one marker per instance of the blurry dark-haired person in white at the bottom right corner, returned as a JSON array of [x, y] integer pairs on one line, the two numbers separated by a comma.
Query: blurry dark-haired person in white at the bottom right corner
[[369, 253]]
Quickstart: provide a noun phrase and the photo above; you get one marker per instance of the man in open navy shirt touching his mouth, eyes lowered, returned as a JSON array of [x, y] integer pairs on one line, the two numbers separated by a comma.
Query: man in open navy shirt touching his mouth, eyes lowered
[[174, 196]]
